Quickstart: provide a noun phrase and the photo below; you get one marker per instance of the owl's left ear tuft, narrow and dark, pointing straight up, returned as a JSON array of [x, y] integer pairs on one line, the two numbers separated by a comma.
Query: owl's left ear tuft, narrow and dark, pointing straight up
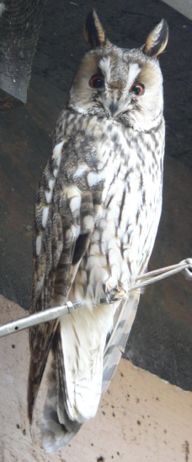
[[94, 32]]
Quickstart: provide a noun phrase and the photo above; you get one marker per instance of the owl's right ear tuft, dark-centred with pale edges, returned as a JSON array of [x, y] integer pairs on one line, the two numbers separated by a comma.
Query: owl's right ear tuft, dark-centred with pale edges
[[157, 39]]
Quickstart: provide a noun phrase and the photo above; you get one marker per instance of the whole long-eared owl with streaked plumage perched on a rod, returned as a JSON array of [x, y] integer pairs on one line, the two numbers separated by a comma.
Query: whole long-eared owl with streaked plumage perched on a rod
[[96, 217]]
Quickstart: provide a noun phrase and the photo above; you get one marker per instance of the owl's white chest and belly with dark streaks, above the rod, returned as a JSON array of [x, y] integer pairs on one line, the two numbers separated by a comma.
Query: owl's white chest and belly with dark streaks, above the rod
[[129, 166]]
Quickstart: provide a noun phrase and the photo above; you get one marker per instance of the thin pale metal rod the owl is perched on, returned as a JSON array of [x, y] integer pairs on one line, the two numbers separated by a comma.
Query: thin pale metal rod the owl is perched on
[[54, 313]]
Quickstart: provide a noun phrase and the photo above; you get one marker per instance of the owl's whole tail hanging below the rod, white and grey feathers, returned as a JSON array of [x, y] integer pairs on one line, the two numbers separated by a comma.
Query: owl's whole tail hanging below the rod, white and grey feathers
[[85, 364]]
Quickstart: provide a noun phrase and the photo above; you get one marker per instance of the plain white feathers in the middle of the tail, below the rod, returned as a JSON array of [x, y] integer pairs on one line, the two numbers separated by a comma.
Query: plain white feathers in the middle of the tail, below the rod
[[83, 336]]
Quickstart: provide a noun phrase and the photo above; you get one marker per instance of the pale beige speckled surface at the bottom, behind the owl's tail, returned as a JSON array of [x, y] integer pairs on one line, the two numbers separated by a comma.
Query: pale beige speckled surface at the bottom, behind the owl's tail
[[141, 417]]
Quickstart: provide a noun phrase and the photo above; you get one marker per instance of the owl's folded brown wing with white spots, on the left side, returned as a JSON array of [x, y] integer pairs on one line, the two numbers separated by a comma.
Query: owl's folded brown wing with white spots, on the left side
[[64, 220]]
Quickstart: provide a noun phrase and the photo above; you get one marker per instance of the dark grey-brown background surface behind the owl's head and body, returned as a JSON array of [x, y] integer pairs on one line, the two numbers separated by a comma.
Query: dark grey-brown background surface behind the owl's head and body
[[161, 339]]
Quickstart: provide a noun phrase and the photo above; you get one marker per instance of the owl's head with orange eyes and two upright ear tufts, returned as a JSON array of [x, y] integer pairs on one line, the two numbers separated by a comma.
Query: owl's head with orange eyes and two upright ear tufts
[[123, 84]]
